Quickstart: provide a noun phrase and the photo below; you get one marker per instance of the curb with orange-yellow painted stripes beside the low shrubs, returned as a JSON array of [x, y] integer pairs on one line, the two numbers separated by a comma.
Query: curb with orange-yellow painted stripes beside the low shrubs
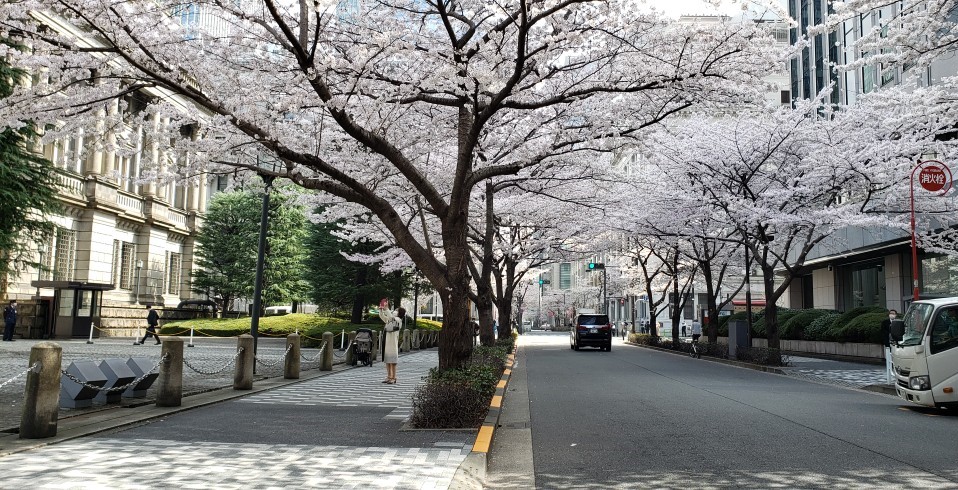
[[472, 471]]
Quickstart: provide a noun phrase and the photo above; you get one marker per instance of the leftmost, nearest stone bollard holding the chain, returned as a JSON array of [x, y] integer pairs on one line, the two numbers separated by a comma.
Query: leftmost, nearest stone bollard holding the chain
[[41, 405]]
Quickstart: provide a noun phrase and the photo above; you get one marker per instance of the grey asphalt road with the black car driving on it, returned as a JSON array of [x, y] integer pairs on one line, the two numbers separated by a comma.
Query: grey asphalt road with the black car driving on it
[[638, 418]]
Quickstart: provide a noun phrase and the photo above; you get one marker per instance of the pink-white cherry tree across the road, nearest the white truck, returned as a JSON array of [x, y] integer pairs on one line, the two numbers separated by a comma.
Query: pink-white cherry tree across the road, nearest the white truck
[[784, 181]]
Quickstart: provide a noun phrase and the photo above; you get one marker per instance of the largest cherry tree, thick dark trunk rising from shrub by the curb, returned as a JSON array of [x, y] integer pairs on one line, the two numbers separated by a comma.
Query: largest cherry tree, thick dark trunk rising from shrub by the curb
[[391, 105]]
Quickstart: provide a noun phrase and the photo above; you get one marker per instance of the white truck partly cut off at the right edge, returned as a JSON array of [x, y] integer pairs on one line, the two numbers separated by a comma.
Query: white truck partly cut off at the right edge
[[925, 353]]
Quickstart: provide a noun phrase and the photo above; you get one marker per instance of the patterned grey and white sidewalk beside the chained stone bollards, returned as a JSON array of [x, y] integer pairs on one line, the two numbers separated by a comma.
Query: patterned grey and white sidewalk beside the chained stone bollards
[[339, 429]]
